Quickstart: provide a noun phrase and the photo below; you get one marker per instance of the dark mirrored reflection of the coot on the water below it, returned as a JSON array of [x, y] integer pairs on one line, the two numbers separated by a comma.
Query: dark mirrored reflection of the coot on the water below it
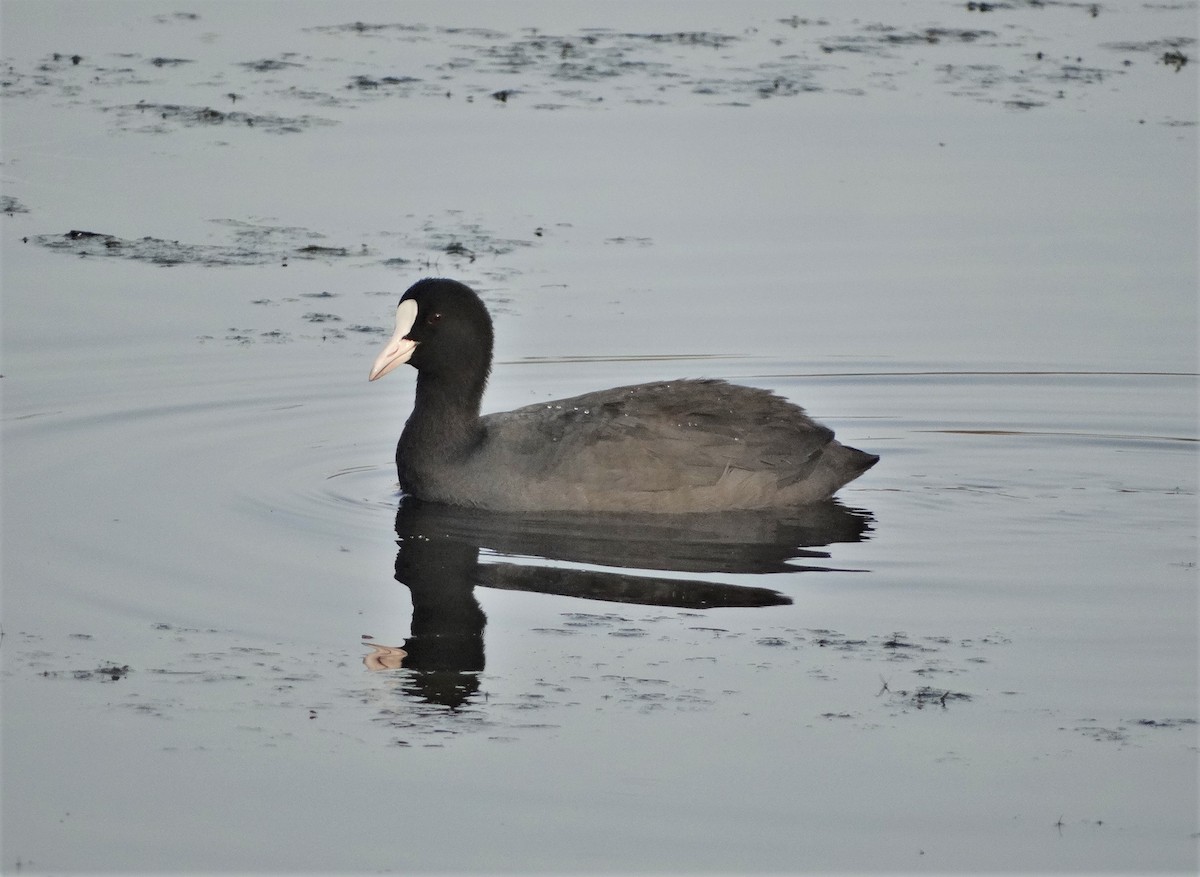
[[439, 561]]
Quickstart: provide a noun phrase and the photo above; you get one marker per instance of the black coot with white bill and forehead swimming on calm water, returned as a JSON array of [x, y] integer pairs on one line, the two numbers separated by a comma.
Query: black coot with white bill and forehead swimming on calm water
[[671, 447]]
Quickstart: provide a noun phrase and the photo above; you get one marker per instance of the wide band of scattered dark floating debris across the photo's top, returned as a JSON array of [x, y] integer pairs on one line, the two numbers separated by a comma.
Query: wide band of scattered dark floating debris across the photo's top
[[578, 69]]
